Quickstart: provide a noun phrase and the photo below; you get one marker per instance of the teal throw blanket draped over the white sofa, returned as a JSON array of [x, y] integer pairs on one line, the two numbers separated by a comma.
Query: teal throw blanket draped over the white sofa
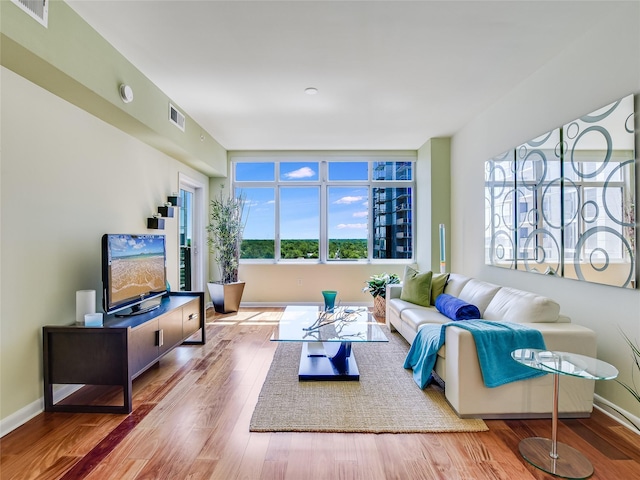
[[494, 342]]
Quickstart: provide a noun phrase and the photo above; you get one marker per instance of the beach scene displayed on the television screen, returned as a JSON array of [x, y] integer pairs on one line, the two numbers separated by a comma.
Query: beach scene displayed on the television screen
[[137, 266]]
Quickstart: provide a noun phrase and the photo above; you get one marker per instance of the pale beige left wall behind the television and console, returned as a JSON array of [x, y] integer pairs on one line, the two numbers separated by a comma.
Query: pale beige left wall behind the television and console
[[66, 179]]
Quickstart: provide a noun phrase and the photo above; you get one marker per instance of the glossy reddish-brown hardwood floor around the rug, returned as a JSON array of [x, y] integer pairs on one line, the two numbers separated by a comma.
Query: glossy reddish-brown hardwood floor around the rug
[[191, 421]]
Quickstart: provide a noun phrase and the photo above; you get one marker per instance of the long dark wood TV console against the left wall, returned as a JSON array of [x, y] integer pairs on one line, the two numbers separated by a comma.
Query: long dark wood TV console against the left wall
[[119, 351]]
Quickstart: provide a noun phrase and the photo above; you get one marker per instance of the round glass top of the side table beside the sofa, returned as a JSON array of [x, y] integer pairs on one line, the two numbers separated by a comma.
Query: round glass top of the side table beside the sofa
[[565, 363]]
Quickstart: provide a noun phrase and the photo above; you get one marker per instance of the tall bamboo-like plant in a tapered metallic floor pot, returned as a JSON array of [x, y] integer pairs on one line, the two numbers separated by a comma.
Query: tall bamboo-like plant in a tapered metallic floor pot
[[225, 230]]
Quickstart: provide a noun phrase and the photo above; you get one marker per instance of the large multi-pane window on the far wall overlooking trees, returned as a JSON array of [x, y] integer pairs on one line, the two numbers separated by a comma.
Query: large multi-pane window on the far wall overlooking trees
[[326, 209]]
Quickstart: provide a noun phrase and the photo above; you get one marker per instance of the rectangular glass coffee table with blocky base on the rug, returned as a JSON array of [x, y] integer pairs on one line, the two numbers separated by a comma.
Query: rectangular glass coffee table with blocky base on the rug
[[327, 338]]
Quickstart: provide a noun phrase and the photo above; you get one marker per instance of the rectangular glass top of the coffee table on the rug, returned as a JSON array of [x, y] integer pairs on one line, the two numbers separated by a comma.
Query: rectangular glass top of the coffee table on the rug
[[311, 324]]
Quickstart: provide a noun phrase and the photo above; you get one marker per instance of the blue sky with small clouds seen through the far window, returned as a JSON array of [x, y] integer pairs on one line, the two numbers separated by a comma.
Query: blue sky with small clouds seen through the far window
[[300, 204]]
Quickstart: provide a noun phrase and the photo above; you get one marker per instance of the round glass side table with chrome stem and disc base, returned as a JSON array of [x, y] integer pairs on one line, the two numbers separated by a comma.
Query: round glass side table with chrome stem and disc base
[[550, 455]]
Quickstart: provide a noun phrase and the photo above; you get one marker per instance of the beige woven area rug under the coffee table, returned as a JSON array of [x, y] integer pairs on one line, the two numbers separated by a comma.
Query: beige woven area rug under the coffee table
[[385, 400]]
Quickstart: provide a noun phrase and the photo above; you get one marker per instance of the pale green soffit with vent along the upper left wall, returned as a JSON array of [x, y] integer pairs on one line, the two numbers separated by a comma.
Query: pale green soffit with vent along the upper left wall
[[72, 61]]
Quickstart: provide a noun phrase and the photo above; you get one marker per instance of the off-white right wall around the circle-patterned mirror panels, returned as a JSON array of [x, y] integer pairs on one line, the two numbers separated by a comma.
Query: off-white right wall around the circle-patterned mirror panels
[[598, 68]]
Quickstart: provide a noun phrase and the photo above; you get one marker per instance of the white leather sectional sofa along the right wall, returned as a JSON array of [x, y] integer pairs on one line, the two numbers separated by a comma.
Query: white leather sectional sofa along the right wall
[[457, 363]]
